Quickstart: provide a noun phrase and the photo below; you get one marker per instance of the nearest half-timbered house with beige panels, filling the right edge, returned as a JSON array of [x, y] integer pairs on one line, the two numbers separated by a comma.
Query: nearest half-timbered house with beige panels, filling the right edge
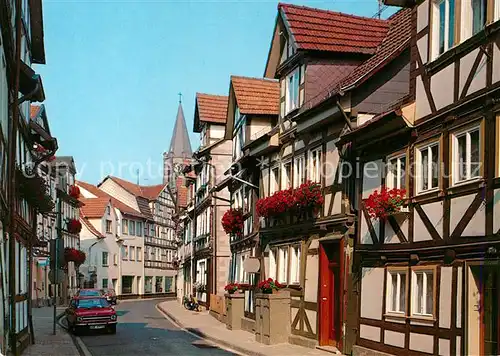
[[428, 271]]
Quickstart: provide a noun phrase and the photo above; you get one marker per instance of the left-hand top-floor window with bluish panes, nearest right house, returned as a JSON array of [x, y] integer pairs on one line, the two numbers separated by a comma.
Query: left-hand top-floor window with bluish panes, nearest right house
[[444, 29]]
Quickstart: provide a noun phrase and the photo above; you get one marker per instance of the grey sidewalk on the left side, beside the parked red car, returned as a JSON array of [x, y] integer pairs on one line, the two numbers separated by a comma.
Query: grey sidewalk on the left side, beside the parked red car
[[47, 344]]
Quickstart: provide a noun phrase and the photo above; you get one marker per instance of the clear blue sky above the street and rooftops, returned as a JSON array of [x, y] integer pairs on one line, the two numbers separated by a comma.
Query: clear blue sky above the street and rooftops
[[114, 69]]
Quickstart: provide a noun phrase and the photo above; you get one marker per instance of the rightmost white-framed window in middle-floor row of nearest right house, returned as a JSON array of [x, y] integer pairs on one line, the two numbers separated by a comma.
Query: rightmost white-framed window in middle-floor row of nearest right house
[[456, 158]]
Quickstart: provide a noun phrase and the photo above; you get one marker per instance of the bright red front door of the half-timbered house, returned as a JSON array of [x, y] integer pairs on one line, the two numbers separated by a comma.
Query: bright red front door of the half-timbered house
[[331, 293]]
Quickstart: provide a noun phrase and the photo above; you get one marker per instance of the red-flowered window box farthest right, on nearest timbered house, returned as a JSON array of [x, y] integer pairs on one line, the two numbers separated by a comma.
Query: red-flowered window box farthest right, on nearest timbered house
[[386, 202]]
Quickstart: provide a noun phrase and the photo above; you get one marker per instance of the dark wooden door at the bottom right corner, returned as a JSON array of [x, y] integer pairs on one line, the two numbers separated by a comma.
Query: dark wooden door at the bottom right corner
[[490, 305]]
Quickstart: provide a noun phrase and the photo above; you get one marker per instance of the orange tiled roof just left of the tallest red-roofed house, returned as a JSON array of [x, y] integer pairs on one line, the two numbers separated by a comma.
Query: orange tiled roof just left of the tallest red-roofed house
[[256, 95]]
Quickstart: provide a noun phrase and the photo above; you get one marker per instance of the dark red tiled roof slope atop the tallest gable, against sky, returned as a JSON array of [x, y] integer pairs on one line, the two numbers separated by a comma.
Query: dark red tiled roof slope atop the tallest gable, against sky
[[323, 30]]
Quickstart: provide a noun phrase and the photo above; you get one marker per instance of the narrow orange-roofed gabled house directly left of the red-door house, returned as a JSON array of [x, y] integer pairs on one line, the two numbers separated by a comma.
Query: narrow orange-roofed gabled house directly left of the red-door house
[[252, 113]]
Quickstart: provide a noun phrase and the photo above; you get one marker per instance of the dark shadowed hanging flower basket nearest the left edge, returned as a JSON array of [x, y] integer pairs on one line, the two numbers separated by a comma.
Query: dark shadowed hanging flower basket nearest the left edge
[[34, 190]]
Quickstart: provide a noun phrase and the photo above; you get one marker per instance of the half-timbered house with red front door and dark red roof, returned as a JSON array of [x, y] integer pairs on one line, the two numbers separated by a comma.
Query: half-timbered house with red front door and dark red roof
[[327, 85]]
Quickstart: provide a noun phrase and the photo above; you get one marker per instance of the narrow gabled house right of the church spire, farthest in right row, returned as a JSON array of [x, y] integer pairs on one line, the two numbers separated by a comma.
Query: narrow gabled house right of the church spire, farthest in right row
[[210, 244]]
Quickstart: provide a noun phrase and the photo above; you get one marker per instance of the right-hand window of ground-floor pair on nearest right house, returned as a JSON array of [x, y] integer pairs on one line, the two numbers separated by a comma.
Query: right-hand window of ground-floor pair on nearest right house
[[422, 292]]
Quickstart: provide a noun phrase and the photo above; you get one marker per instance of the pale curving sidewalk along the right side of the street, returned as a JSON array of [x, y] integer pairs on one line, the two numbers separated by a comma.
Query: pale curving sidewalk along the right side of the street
[[241, 341]]
